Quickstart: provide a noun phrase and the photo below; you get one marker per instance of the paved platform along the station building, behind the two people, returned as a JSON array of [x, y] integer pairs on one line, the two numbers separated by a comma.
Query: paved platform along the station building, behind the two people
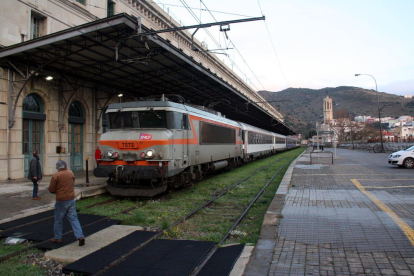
[[16, 195]]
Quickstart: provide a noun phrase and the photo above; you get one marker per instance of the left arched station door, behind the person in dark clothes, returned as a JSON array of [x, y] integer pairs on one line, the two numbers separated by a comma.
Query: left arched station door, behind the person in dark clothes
[[33, 118]]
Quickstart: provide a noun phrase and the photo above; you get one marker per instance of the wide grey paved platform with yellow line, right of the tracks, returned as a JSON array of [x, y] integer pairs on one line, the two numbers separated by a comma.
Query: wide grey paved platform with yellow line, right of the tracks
[[355, 217]]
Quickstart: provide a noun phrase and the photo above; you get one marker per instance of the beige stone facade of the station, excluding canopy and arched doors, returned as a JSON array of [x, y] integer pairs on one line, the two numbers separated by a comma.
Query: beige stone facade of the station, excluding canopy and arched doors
[[16, 21]]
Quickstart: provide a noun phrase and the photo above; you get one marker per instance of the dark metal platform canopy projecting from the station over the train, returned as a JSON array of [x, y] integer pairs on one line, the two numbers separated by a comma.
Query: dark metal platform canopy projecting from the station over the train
[[110, 55]]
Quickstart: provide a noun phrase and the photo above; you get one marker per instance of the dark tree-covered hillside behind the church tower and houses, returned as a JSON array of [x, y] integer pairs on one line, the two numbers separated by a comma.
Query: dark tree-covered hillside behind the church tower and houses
[[302, 107]]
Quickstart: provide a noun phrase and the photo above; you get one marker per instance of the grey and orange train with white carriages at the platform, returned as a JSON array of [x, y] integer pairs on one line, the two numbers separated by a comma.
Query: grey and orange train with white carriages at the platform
[[157, 144]]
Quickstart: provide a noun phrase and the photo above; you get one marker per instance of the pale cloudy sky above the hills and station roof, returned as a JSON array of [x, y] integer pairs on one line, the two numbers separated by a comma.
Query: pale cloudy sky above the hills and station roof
[[309, 43]]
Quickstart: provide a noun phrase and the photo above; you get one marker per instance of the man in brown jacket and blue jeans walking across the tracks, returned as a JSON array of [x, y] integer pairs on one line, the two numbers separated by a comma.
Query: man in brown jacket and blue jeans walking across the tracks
[[62, 185]]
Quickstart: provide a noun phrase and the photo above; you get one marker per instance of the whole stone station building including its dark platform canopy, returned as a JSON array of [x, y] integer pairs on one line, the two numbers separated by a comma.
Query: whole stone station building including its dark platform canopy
[[62, 62]]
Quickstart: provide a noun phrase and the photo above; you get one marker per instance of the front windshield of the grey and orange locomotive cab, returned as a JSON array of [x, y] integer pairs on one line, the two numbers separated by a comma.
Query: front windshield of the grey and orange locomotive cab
[[137, 119]]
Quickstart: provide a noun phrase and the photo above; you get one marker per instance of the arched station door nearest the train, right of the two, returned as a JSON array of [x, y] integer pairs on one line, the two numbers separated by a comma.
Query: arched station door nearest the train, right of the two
[[75, 136]]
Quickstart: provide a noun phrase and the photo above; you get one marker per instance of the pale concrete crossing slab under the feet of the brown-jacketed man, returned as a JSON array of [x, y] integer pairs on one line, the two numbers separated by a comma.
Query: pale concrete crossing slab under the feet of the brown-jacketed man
[[73, 252]]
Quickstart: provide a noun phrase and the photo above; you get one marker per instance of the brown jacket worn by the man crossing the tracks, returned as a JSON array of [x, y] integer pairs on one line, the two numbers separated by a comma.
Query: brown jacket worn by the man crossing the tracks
[[63, 185]]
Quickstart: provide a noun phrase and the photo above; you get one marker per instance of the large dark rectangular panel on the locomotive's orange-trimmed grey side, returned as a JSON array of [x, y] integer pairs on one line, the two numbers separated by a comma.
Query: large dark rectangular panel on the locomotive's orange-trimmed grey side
[[214, 134]]
